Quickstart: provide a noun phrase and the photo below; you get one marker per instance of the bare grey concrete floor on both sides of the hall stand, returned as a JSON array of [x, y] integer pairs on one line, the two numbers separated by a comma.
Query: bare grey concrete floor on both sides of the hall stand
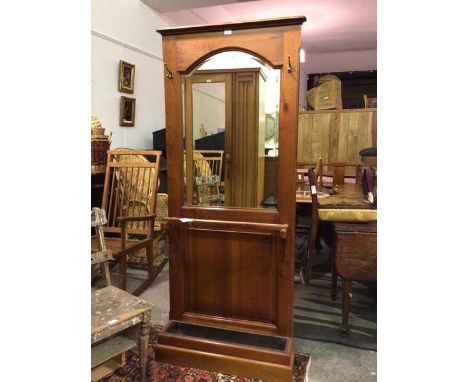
[[329, 362]]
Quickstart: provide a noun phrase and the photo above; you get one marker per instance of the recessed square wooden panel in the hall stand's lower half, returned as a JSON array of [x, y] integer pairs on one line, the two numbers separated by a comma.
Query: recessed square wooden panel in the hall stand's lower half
[[232, 274]]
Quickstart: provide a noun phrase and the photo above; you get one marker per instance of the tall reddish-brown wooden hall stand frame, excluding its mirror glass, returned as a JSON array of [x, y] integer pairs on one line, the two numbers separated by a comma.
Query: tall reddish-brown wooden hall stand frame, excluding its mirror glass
[[232, 268]]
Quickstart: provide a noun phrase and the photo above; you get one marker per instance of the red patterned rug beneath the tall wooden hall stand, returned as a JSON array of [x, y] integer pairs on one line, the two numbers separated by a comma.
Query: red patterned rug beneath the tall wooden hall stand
[[159, 372]]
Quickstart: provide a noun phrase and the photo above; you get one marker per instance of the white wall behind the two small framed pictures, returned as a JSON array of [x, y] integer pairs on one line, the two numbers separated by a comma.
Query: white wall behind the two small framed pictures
[[126, 30]]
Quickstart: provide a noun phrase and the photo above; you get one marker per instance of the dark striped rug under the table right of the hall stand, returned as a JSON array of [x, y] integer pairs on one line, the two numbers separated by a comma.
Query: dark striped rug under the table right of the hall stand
[[318, 317]]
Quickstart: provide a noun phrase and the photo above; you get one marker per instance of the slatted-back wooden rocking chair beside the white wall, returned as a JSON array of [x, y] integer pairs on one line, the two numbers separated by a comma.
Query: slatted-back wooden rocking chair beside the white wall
[[130, 198]]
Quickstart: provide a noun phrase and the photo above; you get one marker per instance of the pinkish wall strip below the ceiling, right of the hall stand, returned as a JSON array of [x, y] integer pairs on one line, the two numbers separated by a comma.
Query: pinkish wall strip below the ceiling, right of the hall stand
[[340, 61]]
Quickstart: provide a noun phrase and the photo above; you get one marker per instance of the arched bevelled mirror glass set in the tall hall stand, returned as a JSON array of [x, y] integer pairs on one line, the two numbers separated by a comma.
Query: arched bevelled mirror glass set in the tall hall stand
[[230, 118]]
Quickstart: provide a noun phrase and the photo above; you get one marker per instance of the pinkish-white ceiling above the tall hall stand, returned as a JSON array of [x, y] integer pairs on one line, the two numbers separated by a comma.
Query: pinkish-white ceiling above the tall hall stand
[[331, 26]]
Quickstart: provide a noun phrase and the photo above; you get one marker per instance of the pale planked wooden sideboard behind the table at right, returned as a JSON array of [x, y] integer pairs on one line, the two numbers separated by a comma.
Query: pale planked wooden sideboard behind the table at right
[[336, 135]]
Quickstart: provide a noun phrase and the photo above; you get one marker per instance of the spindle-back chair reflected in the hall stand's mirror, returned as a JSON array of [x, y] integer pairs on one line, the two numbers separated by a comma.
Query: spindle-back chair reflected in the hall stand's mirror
[[207, 172]]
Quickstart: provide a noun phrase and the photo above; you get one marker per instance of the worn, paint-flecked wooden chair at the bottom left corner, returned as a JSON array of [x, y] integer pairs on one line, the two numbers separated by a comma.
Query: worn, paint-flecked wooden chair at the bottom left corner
[[119, 320]]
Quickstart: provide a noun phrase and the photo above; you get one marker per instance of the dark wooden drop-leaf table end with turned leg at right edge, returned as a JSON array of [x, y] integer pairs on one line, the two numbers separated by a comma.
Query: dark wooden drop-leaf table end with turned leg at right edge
[[354, 258]]
